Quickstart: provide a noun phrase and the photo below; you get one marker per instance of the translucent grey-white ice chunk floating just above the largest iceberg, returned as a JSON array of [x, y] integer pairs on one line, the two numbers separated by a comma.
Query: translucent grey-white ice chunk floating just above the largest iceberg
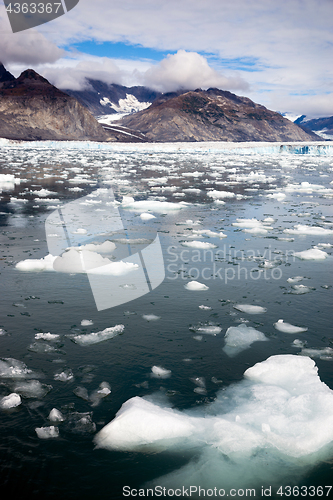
[[239, 338]]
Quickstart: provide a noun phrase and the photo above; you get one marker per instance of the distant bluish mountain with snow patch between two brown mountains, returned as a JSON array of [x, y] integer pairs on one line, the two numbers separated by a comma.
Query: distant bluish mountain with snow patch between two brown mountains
[[99, 96]]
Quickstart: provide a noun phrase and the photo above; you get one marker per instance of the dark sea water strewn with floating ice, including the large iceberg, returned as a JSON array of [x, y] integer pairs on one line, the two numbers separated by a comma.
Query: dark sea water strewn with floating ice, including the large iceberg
[[224, 369]]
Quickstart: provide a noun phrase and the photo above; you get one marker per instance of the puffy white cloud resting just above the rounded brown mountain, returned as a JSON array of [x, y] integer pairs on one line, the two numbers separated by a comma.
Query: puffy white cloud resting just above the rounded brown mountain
[[188, 70]]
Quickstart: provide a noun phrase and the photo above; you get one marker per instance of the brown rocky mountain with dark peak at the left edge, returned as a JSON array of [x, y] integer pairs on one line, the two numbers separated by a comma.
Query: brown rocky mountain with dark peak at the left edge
[[33, 109]]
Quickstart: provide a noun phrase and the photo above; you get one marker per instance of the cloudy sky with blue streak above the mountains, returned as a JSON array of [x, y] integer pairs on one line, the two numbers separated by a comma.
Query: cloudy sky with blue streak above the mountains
[[279, 53]]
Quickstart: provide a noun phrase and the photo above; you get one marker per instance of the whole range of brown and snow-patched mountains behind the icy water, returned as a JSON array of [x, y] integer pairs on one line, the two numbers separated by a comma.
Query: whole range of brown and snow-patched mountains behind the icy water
[[33, 109]]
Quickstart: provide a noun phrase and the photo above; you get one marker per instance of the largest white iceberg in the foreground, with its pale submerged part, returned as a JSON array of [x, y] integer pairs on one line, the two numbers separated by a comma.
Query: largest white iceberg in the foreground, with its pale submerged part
[[279, 415]]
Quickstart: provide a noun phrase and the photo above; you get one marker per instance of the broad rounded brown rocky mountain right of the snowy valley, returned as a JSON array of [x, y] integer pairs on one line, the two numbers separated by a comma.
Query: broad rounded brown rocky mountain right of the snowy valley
[[213, 115]]
